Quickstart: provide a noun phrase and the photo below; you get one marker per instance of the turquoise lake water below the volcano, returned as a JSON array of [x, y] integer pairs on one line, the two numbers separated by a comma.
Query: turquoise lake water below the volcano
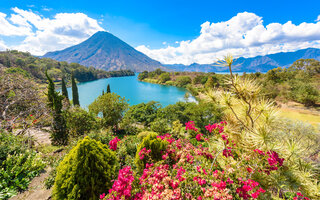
[[133, 90]]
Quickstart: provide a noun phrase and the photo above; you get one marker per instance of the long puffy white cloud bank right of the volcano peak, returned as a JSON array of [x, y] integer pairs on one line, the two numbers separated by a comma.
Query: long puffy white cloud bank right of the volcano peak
[[243, 35]]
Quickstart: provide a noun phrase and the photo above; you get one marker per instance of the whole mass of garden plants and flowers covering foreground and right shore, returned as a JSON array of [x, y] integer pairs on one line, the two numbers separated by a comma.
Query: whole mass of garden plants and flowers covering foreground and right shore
[[232, 144]]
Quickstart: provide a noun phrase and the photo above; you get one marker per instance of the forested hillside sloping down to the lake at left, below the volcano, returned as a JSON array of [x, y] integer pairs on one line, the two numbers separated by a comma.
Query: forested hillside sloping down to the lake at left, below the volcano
[[35, 67]]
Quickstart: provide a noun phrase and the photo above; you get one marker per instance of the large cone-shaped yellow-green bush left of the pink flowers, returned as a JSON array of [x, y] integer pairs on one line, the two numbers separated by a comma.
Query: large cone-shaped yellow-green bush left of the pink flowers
[[86, 171]]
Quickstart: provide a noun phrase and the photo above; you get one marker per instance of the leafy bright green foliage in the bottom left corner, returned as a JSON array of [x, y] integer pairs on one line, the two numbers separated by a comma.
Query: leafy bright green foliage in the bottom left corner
[[18, 164]]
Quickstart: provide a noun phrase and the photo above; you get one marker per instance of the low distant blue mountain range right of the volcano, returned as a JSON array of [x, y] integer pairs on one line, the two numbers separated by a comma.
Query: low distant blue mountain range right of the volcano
[[254, 64]]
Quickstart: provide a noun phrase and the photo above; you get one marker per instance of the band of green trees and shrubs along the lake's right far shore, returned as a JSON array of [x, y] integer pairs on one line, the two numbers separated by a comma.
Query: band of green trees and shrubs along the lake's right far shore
[[299, 82]]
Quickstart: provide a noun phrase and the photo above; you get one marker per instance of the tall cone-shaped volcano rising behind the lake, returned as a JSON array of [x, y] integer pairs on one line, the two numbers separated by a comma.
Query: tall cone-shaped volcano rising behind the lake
[[105, 51]]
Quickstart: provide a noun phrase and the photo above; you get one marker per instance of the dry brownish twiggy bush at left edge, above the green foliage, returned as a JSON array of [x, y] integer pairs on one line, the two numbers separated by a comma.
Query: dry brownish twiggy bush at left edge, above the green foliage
[[19, 98]]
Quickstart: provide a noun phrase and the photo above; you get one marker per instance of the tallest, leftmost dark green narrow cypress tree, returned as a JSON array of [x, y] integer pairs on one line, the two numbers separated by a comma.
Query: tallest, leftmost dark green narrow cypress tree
[[59, 134]]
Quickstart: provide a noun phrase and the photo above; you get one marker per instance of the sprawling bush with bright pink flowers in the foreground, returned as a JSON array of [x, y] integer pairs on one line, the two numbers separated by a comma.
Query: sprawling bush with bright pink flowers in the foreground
[[182, 170]]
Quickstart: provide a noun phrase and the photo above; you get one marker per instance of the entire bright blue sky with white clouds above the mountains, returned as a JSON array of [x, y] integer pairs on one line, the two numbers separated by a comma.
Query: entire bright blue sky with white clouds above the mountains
[[169, 31]]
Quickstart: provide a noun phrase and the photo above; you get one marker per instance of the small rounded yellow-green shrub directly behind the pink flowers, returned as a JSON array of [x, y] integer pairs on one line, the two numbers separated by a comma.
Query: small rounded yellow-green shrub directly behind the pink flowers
[[156, 145]]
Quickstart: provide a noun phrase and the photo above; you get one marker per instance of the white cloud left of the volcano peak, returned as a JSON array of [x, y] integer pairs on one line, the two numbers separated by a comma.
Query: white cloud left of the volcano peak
[[47, 34]]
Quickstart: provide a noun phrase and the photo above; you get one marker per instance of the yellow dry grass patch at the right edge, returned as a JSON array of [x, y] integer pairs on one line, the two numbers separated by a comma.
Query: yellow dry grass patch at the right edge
[[302, 115]]
